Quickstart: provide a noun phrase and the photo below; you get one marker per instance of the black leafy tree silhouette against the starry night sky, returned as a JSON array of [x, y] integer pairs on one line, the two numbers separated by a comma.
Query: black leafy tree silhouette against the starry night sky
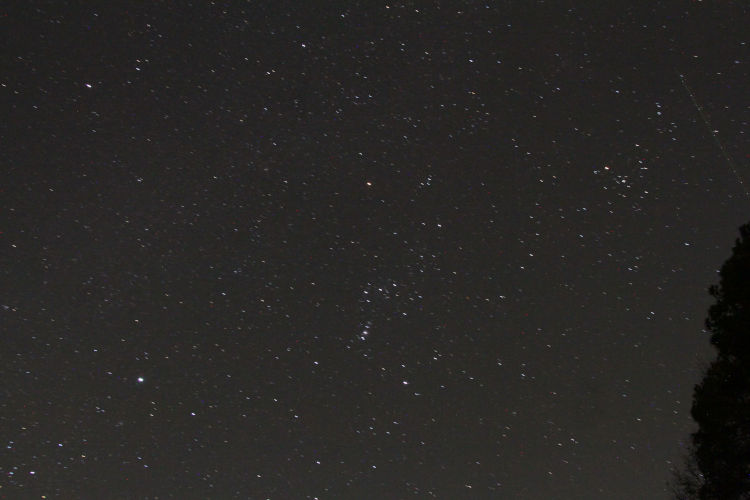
[[719, 463]]
